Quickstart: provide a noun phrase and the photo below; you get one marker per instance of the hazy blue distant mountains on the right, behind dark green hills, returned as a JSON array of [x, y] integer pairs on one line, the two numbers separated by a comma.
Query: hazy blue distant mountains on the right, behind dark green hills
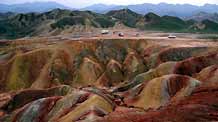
[[178, 10]]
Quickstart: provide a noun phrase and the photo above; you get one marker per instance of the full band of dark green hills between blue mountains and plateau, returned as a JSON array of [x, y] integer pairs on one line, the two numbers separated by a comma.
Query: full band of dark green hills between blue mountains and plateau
[[60, 21]]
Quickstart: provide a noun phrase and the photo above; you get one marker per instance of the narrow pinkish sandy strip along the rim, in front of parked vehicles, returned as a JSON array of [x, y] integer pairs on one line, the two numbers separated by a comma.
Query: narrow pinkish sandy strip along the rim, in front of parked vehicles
[[178, 42]]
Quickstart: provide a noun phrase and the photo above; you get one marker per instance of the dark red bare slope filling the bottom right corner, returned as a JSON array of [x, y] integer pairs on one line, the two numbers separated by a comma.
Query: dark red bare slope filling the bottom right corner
[[201, 106]]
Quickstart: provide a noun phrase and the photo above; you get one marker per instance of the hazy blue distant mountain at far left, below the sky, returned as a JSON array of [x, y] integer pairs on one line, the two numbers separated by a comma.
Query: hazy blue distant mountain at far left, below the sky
[[31, 7]]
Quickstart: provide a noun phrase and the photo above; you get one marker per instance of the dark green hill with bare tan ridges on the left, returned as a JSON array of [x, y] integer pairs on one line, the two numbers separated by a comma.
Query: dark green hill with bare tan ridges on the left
[[22, 25]]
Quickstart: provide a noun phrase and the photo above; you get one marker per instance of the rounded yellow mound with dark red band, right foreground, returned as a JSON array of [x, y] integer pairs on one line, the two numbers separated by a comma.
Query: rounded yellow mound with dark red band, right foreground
[[159, 91]]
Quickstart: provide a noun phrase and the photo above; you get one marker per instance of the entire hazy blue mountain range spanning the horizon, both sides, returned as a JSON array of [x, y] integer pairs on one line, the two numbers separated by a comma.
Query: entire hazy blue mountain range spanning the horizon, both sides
[[179, 10]]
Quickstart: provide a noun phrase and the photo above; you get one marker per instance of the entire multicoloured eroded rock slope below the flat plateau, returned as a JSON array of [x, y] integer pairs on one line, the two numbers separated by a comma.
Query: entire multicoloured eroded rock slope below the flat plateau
[[118, 80]]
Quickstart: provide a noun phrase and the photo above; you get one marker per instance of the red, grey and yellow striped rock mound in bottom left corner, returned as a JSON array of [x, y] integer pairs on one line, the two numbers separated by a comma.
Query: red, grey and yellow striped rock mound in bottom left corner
[[76, 105]]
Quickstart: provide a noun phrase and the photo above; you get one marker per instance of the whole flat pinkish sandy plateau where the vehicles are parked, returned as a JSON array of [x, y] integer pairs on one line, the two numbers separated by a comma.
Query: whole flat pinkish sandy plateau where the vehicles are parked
[[182, 40]]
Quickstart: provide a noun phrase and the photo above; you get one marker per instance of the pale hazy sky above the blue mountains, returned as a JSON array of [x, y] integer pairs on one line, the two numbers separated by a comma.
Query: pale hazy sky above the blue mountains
[[83, 3]]
